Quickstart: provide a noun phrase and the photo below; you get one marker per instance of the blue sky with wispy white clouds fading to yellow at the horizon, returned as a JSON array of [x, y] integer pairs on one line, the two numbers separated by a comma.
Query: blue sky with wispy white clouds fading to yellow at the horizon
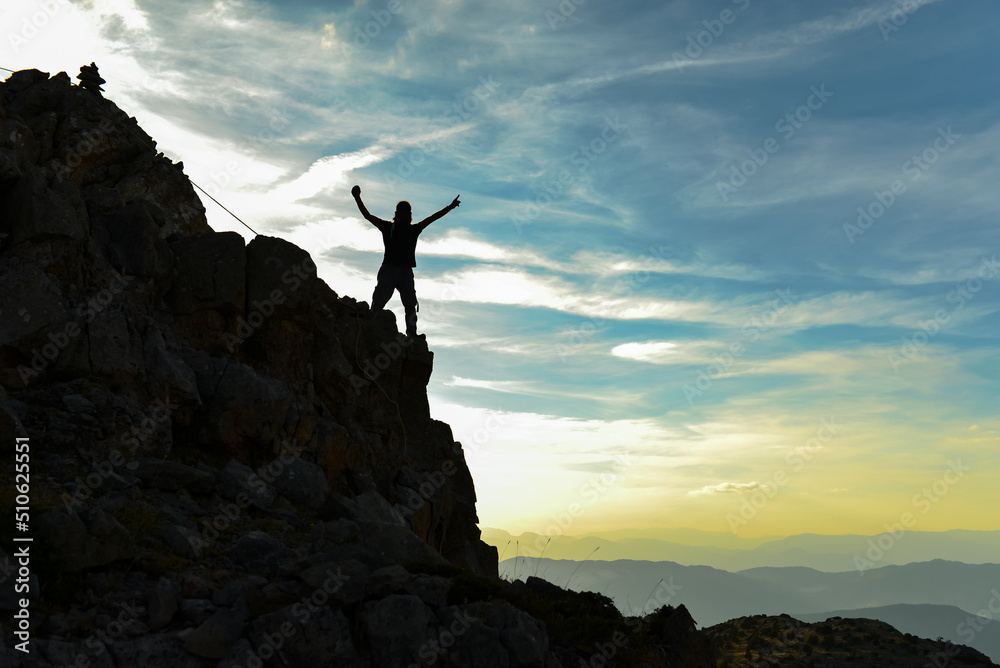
[[726, 265]]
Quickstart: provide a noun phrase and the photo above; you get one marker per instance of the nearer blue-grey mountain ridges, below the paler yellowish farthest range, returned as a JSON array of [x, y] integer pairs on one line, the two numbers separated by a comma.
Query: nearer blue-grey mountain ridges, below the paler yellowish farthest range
[[713, 595]]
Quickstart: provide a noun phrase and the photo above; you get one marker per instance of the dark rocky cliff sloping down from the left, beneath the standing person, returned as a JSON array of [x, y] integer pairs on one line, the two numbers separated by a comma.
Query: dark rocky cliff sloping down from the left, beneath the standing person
[[230, 464]]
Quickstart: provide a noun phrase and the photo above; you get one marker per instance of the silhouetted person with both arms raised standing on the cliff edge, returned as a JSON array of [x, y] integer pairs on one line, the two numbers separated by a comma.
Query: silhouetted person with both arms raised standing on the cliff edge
[[396, 272]]
